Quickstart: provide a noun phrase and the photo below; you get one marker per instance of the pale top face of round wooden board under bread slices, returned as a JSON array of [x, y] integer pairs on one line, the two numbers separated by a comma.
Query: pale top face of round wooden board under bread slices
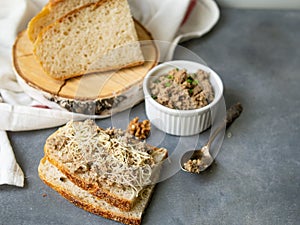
[[89, 87]]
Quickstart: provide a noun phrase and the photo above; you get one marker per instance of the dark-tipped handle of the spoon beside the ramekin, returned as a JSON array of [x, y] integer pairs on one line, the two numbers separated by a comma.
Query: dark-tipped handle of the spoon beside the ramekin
[[231, 114]]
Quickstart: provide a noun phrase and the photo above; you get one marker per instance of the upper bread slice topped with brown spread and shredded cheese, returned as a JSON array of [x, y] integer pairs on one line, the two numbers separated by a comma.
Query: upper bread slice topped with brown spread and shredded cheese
[[88, 156]]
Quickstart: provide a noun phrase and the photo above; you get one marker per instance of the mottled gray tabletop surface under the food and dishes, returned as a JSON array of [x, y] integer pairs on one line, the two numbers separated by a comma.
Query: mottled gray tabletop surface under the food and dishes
[[256, 176]]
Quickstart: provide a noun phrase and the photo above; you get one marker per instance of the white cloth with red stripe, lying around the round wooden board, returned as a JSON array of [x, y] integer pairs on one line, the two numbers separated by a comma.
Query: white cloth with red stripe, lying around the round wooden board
[[170, 21]]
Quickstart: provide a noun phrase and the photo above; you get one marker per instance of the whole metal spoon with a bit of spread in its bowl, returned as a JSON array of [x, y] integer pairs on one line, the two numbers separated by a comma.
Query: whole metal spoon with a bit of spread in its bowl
[[196, 161]]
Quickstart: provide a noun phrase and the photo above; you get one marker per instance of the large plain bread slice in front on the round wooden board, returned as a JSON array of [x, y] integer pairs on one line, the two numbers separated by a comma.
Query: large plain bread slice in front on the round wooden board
[[96, 37]]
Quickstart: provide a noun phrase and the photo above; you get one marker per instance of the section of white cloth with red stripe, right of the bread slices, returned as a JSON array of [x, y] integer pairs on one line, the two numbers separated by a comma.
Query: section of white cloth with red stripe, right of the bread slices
[[173, 21]]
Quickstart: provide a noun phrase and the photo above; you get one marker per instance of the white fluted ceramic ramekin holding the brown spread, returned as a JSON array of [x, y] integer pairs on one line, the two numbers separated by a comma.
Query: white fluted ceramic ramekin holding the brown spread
[[180, 122]]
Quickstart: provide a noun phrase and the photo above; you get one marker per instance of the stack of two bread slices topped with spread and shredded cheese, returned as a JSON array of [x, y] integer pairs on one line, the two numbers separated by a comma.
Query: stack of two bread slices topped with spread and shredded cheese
[[106, 172]]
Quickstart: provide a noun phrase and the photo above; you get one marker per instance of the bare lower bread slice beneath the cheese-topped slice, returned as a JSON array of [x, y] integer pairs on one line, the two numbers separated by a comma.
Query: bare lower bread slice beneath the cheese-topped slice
[[83, 199]]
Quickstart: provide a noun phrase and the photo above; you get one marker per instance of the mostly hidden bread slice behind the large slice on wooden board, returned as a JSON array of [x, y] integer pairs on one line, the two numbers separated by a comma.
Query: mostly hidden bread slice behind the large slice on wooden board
[[51, 12]]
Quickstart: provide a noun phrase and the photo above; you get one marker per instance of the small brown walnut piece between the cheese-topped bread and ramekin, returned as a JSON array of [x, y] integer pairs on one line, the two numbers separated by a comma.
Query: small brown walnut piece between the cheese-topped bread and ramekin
[[140, 130]]
